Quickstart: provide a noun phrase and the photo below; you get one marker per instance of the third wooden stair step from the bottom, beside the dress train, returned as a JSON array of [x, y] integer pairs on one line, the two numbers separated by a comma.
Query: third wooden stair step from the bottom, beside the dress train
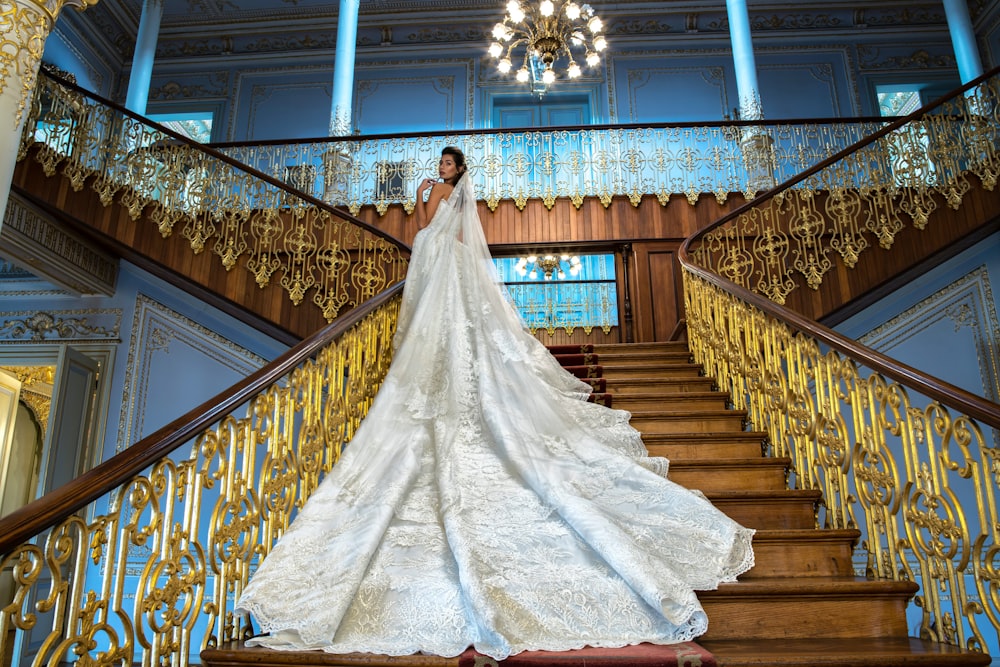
[[807, 552]]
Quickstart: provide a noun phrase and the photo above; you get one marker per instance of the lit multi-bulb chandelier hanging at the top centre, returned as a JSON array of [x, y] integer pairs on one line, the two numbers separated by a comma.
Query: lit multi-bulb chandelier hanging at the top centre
[[547, 30]]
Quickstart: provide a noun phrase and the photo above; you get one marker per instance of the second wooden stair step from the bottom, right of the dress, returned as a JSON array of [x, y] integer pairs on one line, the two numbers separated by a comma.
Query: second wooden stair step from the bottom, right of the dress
[[804, 607]]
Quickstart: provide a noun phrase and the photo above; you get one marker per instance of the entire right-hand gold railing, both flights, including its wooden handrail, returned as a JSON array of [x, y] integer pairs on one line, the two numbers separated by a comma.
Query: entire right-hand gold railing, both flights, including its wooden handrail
[[911, 461]]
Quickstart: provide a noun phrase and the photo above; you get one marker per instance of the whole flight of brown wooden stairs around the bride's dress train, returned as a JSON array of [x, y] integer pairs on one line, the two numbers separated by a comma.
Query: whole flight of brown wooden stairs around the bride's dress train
[[801, 605]]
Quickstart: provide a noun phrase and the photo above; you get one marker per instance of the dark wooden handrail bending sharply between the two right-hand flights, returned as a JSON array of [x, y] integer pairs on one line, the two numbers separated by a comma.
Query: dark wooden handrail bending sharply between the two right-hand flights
[[945, 393]]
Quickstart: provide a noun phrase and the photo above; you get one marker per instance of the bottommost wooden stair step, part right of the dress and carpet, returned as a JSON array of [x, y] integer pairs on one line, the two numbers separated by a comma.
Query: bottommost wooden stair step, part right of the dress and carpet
[[853, 652]]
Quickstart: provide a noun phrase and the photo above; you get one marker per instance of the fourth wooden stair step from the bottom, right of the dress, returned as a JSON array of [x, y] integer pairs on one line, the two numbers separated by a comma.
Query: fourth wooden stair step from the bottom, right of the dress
[[774, 510]]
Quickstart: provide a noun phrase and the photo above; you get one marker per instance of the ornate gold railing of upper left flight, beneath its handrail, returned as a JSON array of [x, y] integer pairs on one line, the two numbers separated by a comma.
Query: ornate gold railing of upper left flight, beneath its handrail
[[246, 218]]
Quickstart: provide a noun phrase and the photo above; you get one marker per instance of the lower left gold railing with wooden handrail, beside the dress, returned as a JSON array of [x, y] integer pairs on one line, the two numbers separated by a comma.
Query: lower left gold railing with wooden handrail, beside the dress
[[140, 560]]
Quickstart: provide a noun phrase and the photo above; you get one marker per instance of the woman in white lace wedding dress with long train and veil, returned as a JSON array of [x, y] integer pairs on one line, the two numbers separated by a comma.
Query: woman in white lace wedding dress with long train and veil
[[483, 501]]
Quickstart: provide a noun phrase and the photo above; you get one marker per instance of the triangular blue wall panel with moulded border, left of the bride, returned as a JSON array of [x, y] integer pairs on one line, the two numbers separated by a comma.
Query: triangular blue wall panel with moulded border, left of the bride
[[174, 363]]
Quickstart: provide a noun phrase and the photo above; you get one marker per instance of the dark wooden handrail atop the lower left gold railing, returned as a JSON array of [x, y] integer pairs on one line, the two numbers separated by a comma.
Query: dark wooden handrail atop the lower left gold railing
[[55, 506]]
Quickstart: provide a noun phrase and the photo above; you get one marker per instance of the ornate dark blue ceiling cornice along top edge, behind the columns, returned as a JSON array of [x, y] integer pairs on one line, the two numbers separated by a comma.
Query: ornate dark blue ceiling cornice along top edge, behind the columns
[[190, 28]]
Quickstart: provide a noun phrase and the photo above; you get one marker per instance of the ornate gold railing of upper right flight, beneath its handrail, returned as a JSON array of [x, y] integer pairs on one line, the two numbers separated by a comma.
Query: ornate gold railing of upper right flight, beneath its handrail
[[865, 195]]
